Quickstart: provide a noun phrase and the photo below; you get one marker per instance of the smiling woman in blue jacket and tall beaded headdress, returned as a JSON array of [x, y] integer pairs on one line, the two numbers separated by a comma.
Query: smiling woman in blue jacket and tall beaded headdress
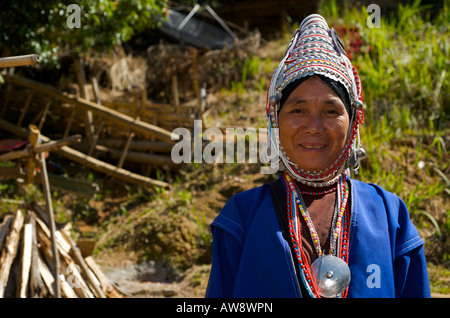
[[315, 232]]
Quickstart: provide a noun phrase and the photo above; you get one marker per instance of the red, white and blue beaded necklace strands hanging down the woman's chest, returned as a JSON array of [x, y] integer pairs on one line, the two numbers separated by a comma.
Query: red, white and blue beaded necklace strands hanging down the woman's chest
[[339, 232]]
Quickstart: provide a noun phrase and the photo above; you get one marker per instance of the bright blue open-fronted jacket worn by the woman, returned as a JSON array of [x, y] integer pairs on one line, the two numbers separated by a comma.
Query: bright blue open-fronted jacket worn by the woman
[[252, 259]]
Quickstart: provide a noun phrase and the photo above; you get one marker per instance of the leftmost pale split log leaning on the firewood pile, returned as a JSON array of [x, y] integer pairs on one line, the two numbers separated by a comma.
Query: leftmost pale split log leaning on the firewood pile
[[10, 251]]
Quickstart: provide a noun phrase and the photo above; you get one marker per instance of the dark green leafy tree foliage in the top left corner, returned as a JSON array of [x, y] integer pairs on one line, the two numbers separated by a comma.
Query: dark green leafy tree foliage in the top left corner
[[41, 26]]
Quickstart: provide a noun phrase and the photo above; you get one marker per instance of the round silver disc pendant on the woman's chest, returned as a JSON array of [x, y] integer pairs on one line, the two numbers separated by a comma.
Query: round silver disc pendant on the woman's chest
[[331, 275]]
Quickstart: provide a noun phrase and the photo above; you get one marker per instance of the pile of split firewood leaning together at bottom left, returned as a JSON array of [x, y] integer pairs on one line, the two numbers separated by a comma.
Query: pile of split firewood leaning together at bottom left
[[27, 262]]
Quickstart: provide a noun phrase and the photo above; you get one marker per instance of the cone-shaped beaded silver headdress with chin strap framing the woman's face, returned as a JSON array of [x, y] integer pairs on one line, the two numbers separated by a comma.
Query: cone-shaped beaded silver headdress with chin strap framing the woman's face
[[317, 50]]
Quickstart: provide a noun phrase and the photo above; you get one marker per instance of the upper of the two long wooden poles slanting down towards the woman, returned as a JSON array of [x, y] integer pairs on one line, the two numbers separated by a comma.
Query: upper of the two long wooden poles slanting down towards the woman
[[136, 125]]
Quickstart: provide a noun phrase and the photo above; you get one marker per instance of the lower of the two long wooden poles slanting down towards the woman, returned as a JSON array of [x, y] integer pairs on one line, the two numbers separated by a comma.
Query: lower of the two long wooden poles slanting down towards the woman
[[90, 162]]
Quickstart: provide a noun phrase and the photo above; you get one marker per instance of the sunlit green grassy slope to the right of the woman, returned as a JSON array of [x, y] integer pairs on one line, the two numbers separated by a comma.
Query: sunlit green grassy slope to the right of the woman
[[403, 66]]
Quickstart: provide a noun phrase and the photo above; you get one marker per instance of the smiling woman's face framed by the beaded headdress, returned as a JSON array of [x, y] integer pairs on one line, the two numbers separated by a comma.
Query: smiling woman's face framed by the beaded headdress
[[313, 125]]
